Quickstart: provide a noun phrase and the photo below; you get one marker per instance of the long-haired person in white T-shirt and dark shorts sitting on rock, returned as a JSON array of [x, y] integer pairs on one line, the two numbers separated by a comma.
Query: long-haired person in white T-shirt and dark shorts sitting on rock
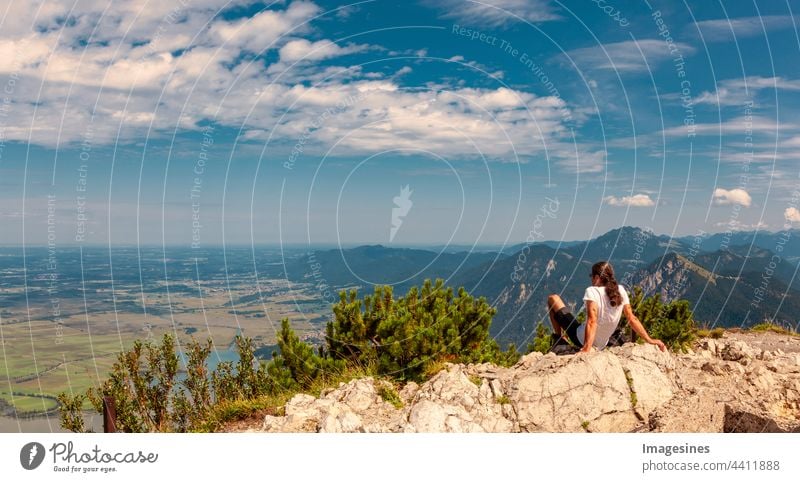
[[605, 301]]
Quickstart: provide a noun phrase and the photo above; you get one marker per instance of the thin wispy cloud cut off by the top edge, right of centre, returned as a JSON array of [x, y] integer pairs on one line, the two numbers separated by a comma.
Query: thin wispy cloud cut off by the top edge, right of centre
[[496, 13]]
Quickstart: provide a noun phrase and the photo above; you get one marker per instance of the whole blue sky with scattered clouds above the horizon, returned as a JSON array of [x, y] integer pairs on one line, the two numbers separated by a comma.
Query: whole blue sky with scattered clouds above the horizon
[[217, 122]]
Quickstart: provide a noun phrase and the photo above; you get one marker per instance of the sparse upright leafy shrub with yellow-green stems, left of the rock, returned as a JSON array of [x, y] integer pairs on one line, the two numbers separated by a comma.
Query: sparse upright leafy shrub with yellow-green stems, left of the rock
[[143, 383]]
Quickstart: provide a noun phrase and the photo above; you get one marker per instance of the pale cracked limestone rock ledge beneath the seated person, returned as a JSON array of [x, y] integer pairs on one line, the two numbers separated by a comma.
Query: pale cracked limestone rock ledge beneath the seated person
[[740, 383]]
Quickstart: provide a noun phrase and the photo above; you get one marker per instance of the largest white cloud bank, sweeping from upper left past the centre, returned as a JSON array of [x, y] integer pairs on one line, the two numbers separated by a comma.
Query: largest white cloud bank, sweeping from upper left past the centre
[[180, 65]]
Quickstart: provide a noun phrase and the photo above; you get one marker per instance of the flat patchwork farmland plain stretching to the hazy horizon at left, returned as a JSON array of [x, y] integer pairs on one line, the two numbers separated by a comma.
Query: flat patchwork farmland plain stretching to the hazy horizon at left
[[65, 317]]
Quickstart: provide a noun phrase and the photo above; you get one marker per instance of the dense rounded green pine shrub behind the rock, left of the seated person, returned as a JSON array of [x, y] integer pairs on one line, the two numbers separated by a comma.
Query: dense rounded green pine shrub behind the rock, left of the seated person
[[409, 334]]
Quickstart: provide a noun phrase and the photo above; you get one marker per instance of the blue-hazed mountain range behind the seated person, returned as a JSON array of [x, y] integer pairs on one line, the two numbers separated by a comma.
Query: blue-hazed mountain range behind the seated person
[[736, 279]]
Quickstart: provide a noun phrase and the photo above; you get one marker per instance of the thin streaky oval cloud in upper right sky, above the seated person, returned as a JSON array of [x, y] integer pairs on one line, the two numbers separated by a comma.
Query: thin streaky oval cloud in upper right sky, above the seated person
[[628, 56]]
